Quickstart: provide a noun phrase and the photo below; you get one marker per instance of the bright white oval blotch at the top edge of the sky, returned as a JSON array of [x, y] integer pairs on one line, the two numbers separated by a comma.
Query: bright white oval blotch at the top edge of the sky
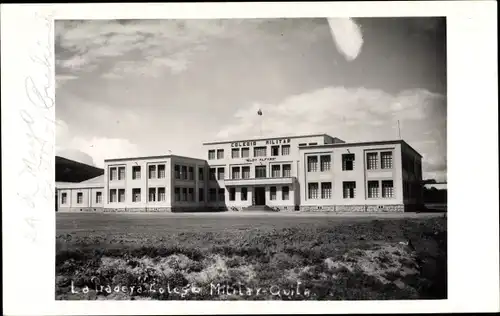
[[347, 36]]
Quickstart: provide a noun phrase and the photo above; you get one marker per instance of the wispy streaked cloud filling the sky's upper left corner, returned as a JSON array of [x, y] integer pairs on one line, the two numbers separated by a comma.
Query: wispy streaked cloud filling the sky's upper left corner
[[141, 45]]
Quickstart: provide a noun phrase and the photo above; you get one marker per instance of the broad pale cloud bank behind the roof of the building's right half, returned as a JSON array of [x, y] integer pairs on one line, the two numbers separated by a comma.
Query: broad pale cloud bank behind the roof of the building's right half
[[352, 114]]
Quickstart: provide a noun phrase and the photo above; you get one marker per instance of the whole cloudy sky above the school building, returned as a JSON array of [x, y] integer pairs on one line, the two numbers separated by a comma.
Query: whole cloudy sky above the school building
[[155, 87]]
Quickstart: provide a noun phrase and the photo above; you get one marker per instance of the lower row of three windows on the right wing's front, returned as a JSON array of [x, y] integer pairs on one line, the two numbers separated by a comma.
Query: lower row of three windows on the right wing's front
[[349, 189]]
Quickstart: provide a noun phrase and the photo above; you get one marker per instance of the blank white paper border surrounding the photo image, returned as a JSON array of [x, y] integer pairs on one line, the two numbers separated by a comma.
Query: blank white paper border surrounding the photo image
[[28, 152]]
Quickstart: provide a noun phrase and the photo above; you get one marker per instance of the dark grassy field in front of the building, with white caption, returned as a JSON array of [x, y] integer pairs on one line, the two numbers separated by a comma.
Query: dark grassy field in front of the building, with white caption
[[226, 256]]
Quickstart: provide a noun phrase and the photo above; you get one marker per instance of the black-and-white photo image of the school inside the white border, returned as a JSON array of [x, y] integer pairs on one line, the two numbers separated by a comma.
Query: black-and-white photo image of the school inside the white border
[[251, 159]]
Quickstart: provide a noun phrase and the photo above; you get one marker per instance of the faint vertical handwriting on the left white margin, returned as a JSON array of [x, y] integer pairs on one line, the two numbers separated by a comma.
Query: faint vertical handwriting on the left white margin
[[35, 177]]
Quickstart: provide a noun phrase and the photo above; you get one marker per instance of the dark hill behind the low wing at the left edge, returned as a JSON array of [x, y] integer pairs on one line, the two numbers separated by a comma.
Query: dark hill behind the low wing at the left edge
[[72, 171]]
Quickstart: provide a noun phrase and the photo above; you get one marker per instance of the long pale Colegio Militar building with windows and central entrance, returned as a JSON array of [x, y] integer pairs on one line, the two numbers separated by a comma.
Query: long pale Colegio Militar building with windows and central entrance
[[297, 173]]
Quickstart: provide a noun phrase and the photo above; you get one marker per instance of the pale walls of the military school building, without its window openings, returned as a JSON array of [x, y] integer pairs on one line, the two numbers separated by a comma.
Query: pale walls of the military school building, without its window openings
[[406, 169]]
